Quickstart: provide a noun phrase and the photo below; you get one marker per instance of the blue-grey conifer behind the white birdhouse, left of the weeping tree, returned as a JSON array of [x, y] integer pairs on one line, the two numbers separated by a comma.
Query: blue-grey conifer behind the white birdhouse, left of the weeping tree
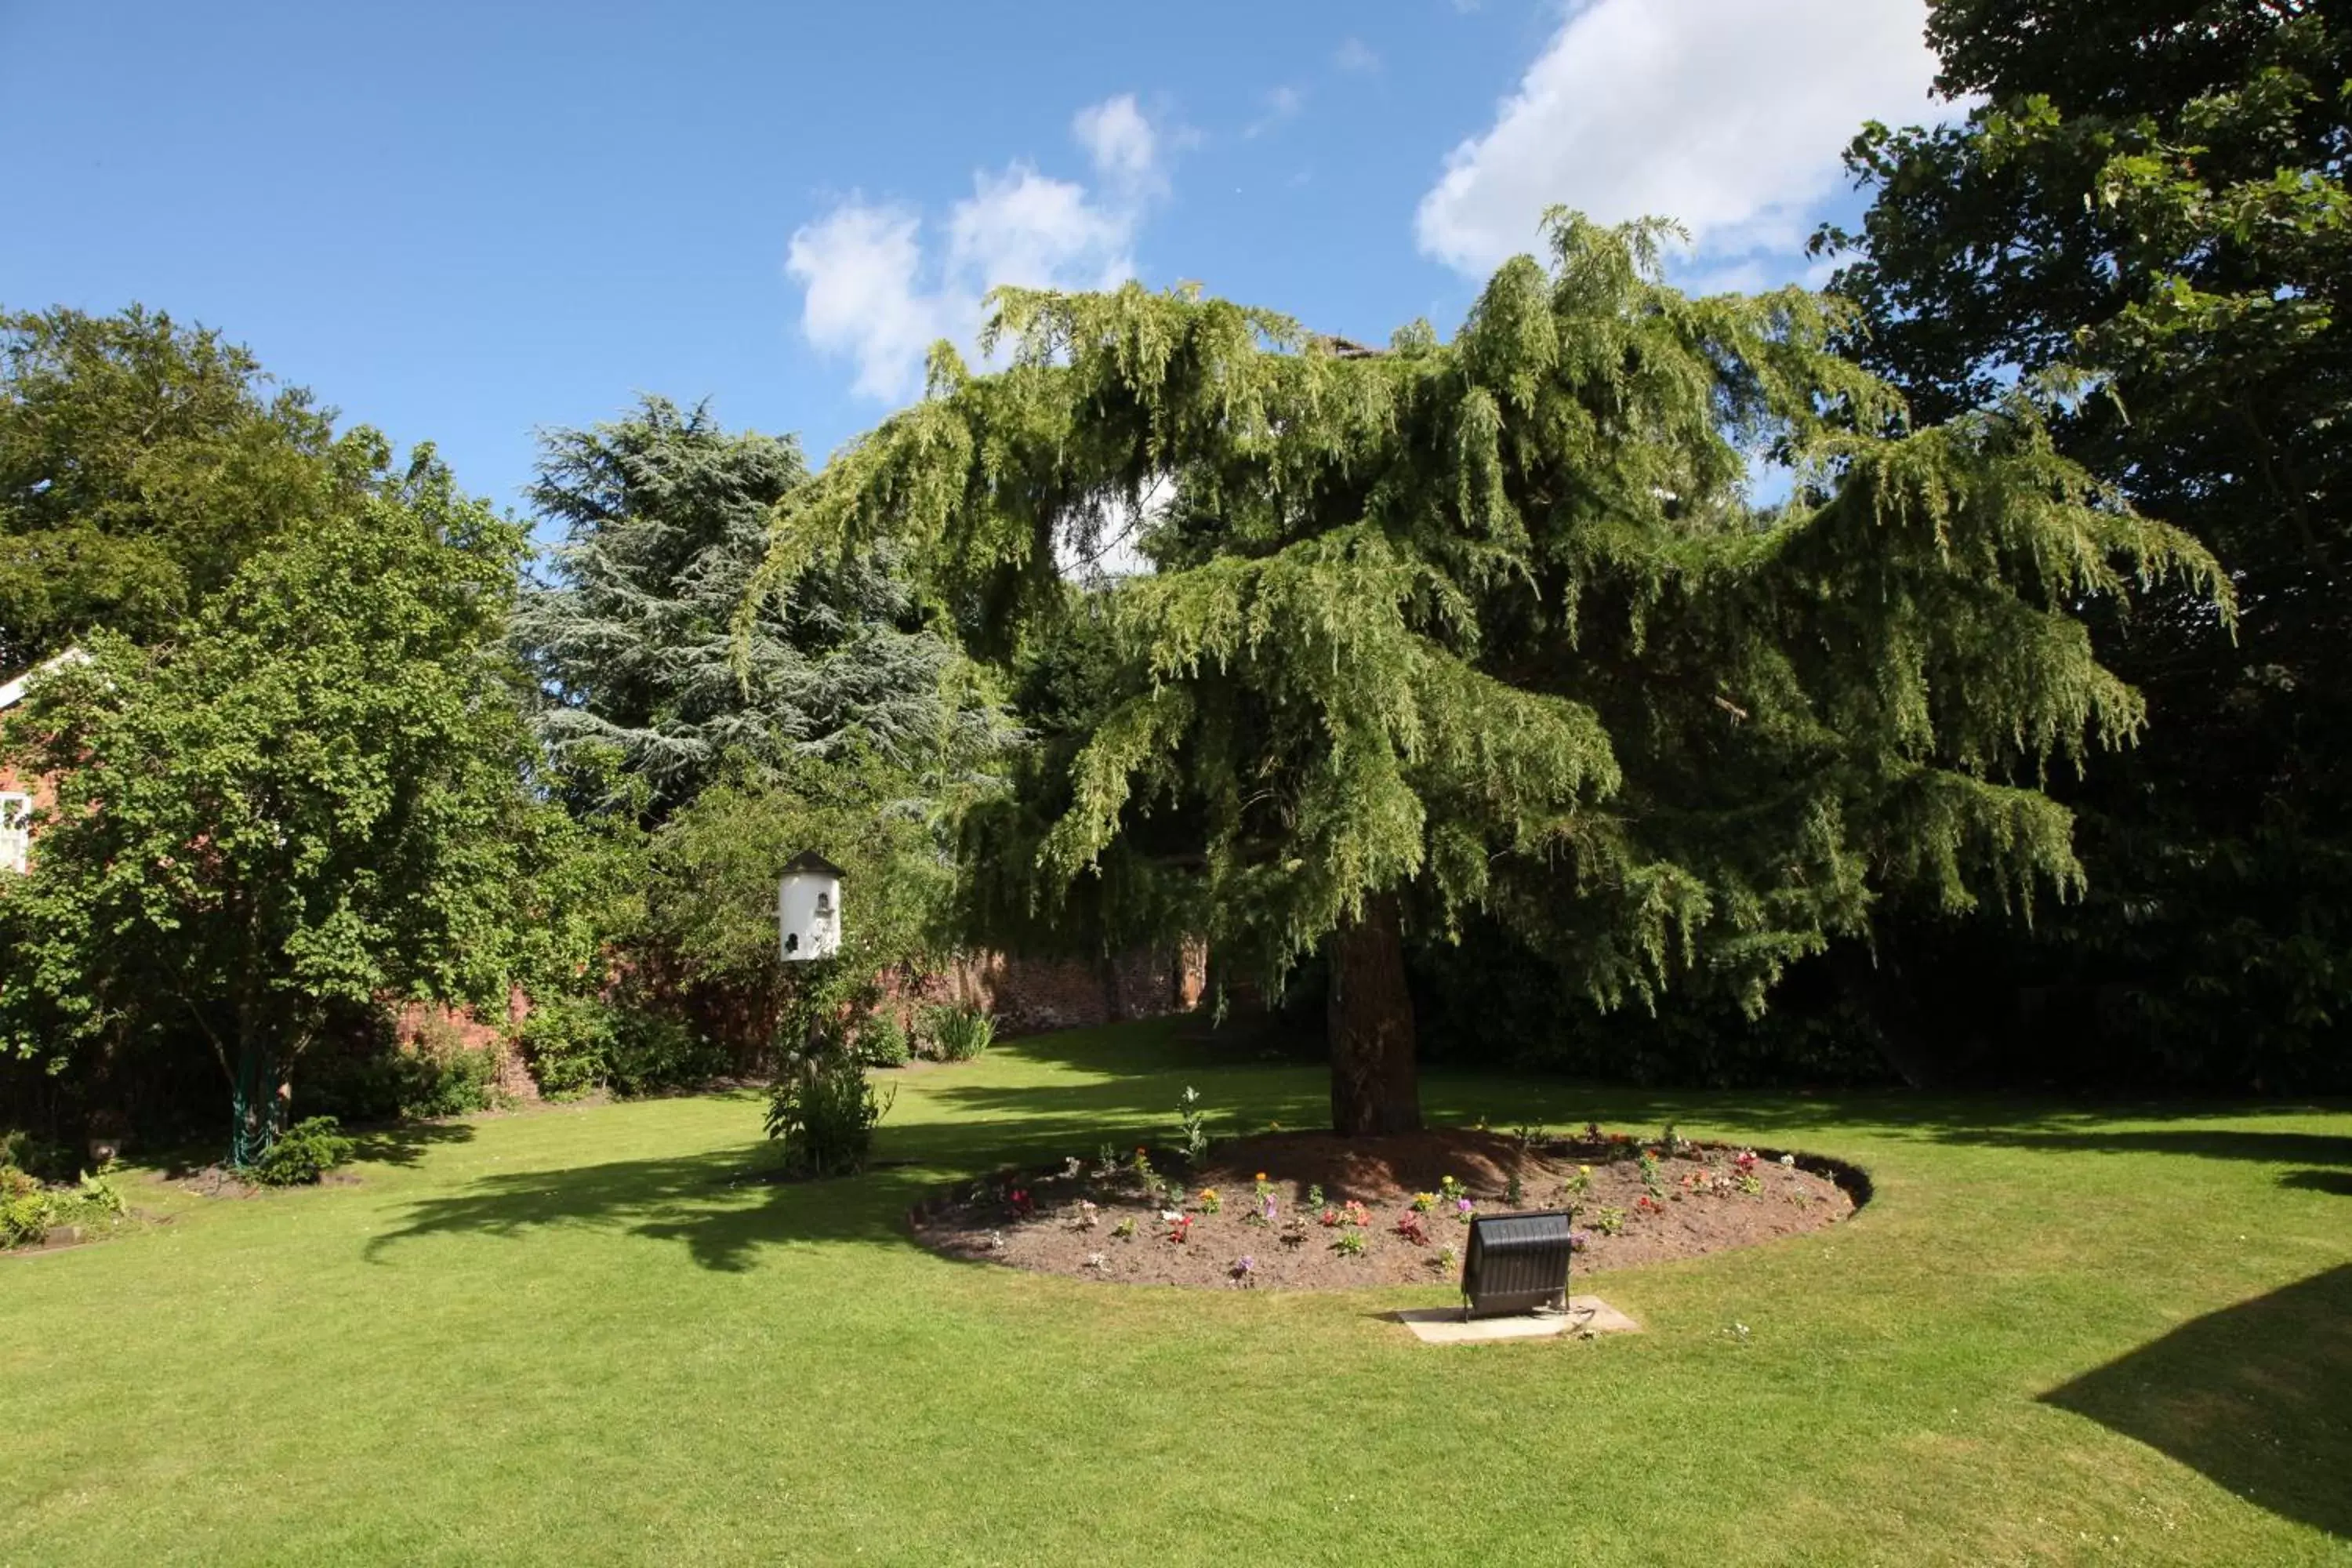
[[667, 523]]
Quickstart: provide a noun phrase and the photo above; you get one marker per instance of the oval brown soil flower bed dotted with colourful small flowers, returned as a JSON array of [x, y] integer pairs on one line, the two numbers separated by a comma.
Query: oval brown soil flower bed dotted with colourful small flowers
[[1071, 1219]]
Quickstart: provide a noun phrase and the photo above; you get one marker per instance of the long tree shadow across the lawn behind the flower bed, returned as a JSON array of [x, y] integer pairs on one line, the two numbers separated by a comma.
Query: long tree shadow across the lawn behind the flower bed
[[730, 1205]]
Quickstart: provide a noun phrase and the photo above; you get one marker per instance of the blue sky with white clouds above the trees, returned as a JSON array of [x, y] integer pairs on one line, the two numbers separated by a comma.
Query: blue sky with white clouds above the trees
[[476, 222]]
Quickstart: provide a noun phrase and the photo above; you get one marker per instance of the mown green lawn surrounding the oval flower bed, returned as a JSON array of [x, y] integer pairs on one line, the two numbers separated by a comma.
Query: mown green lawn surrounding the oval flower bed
[[2054, 1339]]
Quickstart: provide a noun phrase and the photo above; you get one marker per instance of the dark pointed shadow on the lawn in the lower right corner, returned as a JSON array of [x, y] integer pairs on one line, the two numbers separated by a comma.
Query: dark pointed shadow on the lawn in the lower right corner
[[2254, 1398]]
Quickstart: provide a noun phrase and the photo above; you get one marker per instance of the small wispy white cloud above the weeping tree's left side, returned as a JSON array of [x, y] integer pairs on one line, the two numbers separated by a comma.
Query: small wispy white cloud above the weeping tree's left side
[[878, 295]]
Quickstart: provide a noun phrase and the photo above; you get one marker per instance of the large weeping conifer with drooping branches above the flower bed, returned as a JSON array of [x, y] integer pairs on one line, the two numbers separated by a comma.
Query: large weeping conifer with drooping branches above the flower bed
[[1490, 624]]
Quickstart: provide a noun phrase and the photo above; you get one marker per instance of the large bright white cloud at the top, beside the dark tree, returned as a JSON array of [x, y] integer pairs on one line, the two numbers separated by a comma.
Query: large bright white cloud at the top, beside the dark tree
[[1723, 114]]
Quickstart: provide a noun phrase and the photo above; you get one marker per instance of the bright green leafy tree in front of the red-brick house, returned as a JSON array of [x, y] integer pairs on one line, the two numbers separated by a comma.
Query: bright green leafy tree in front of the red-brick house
[[307, 800]]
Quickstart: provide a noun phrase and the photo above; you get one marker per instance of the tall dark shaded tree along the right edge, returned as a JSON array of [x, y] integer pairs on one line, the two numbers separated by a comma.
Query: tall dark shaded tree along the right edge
[[2153, 192]]
